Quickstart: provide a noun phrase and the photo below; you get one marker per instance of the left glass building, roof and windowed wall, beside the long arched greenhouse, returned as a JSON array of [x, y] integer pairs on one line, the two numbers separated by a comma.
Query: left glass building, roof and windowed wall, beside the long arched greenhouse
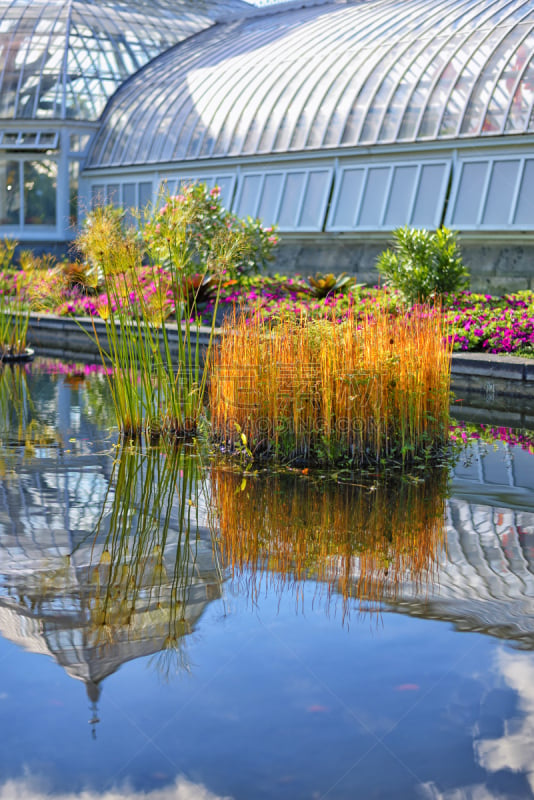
[[60, 62]]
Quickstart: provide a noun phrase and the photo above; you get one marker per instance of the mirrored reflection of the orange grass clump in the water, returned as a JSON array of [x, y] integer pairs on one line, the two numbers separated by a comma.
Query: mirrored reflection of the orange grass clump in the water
[[360, 542]]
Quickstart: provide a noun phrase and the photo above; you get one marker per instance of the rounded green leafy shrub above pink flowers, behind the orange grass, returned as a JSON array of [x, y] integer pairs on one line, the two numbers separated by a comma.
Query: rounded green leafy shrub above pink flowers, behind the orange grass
[[423, 265]]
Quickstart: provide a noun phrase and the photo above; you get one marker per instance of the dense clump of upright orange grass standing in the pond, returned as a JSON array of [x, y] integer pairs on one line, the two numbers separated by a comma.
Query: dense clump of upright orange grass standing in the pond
[[324, 390]]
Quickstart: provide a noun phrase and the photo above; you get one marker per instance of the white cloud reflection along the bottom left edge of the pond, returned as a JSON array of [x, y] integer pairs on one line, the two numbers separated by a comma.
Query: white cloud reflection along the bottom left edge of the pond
[[181, 789]]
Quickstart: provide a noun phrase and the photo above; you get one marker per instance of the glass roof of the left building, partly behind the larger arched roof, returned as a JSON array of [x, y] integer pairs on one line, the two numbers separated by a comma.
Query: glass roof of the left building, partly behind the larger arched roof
[[63, 59]]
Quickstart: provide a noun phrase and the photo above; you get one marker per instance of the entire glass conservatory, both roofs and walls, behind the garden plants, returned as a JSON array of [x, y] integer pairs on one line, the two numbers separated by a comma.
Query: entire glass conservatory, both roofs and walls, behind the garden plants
[[333, 119]]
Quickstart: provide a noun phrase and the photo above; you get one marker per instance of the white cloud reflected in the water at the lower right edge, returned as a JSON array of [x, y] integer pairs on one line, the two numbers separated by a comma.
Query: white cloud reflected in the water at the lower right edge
[[513, 750]]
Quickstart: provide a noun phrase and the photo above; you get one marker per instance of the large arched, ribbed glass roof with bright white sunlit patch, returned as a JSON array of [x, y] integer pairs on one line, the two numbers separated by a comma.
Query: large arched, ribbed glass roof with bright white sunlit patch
[[328, 76]]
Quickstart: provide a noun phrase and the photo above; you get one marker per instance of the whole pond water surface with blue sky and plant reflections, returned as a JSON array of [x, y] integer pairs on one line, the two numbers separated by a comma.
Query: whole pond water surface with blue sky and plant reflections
[[171, 629]]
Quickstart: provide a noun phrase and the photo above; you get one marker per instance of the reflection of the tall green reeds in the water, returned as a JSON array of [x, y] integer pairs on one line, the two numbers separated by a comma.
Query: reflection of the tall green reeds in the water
[[147, 565]]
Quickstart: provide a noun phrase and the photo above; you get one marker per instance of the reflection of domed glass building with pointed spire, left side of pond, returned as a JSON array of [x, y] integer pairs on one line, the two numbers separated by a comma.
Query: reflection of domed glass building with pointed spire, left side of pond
[[61, 593]]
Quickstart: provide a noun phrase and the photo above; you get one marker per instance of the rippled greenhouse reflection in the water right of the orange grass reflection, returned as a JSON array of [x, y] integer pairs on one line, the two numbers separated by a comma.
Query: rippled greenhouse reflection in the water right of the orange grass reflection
[[485, 574]]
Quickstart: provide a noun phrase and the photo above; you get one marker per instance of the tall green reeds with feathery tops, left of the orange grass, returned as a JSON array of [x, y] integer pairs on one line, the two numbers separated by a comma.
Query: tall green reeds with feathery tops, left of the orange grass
[[158, 382]]
